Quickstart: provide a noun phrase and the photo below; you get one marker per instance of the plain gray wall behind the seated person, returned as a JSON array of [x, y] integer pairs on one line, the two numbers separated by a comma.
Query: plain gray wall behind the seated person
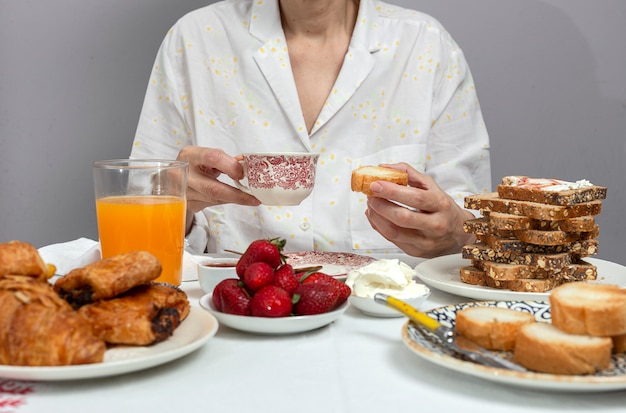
[[551, 78]]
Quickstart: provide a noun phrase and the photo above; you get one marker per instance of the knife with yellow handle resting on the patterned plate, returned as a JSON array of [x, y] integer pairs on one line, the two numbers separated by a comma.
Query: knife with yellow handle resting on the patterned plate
[[446, 335]]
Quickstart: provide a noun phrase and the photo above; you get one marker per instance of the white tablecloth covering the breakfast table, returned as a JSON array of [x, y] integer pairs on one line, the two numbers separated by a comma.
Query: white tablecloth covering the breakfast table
[[356, 364]]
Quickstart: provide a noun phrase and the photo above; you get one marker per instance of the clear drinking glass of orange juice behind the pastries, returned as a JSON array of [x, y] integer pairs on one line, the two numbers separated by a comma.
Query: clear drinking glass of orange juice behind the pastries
[[140, 205]]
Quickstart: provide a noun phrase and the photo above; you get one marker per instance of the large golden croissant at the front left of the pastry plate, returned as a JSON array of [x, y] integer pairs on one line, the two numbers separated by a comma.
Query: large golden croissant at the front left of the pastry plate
[[38, 328]]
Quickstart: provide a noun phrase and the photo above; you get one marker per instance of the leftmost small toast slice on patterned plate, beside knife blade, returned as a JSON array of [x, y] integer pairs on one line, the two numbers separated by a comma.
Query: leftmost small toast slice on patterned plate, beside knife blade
[[493, 328]]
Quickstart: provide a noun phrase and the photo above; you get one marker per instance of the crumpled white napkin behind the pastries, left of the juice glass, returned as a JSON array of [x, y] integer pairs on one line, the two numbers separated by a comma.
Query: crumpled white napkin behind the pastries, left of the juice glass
[[69, 255]]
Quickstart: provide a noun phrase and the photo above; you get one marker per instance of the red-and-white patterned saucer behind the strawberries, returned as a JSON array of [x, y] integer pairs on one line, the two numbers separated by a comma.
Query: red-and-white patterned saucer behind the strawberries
[[337, 264]]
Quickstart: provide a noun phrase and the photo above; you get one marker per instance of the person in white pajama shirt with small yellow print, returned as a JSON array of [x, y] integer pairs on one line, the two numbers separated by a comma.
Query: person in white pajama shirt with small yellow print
[[360, 83]]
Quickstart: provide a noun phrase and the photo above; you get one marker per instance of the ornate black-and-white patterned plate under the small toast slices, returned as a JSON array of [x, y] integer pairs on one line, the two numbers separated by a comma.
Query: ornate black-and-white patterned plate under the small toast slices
[[610, 379]]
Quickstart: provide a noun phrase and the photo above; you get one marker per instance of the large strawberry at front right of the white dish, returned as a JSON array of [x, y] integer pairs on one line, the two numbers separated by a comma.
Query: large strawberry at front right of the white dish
[[315, 298]]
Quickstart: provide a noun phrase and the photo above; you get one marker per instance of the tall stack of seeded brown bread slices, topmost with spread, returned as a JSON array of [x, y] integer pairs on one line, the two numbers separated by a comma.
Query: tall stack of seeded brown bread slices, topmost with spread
[[534, 234]]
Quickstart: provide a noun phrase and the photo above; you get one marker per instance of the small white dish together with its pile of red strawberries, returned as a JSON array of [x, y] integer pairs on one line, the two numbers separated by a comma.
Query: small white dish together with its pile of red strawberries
[[269, 297]]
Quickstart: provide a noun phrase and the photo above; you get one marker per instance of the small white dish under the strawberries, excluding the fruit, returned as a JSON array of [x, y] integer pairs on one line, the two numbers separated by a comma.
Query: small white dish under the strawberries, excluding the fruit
[[278, 325]]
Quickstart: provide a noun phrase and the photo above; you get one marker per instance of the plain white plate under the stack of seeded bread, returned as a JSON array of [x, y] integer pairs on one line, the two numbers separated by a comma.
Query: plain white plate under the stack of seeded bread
[[442, 273]]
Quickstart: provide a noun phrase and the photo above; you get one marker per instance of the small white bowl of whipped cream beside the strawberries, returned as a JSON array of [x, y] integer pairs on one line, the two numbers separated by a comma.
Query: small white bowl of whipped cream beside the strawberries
[[388, 276]]
